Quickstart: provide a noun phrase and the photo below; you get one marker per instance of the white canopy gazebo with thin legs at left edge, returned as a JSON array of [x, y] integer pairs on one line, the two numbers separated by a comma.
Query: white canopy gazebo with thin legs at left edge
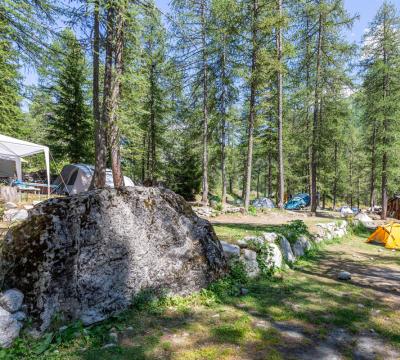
[[16, 150]]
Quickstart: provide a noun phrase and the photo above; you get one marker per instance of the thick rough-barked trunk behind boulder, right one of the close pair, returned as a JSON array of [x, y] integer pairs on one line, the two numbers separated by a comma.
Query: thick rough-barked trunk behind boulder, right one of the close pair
[[119, 13]]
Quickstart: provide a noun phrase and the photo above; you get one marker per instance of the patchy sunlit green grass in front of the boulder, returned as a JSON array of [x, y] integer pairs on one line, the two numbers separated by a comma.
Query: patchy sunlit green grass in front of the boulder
[[279, 317]]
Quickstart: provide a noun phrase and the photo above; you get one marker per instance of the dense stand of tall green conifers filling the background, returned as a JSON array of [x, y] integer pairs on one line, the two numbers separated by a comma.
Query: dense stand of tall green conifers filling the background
[[228, 99]]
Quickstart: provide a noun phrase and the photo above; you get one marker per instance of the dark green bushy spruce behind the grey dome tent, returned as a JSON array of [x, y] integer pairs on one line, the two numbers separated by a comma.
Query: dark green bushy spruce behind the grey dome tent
[[65, 79]]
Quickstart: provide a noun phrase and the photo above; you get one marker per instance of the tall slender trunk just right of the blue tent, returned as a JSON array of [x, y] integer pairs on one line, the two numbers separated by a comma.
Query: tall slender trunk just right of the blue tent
[[315, 119]]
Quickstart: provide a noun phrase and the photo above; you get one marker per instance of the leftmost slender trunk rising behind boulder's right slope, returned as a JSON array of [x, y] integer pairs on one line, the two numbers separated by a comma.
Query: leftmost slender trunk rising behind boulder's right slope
[[205, 109]]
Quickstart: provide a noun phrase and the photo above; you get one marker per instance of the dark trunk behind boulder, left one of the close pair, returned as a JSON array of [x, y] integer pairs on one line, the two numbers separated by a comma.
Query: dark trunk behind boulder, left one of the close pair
[[99, 176]]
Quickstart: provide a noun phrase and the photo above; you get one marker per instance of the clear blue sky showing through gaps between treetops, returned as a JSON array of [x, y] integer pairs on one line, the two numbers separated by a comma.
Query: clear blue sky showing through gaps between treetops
[[365, 9]]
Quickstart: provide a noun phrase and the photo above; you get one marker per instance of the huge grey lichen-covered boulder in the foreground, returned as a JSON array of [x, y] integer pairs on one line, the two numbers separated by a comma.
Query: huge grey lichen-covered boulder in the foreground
[[86, 256]]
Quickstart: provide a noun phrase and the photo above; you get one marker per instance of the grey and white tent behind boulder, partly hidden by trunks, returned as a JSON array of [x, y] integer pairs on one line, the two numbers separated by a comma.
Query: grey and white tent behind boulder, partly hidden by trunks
[[76, 178]]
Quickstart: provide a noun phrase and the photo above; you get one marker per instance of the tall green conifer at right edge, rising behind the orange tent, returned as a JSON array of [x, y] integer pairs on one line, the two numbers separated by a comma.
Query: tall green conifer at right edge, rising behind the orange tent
[[382, 93]]
